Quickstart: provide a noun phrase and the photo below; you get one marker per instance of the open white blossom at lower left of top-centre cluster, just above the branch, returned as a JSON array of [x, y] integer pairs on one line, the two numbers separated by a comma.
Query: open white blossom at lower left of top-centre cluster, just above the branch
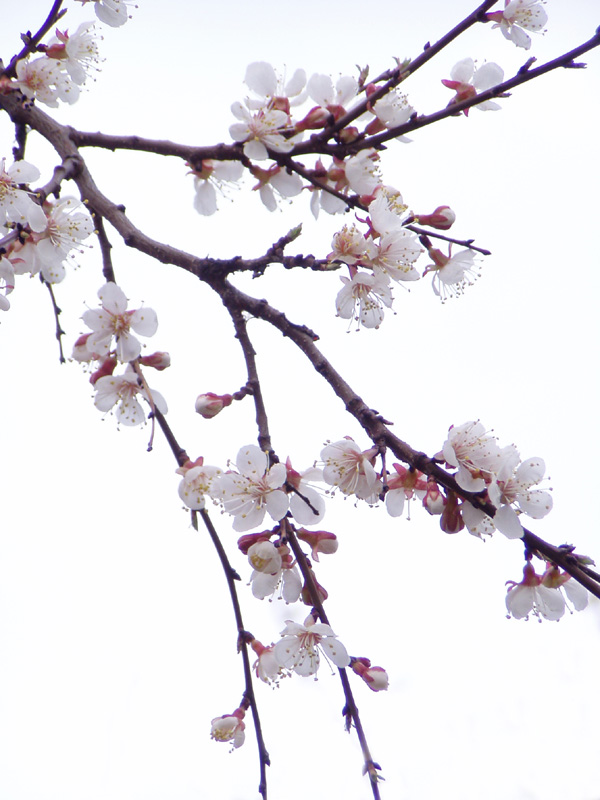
[[260, 130]]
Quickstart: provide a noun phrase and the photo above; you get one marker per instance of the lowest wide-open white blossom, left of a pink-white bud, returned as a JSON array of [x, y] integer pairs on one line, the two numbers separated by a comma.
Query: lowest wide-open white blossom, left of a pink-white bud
[[298, 650]]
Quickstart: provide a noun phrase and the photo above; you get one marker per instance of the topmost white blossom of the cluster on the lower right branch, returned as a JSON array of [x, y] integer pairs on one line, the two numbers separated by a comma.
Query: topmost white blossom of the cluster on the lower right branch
[[474, 452]]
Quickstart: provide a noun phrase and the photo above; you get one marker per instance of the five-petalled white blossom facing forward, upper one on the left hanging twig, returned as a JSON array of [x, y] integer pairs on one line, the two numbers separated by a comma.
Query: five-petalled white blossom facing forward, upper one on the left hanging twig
[[113, 319]]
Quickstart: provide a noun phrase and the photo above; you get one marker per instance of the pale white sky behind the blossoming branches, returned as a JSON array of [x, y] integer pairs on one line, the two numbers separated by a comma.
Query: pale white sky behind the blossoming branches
[[117, 642]]
